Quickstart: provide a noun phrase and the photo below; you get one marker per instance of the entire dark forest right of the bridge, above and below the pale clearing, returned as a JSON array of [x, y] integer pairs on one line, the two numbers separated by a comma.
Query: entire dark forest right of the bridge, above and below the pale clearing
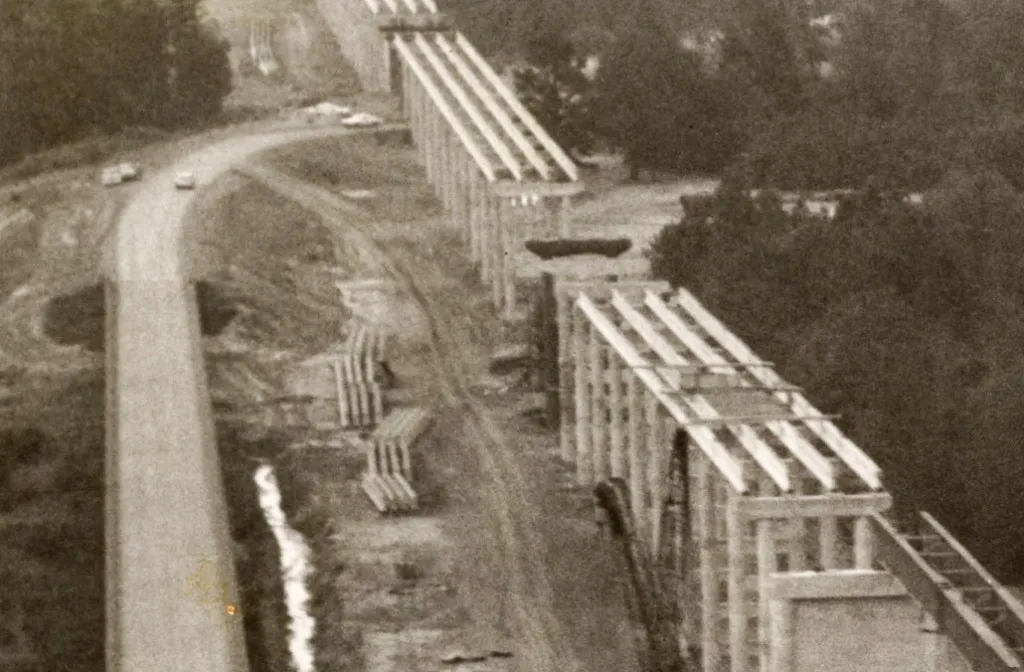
[[907, 321]]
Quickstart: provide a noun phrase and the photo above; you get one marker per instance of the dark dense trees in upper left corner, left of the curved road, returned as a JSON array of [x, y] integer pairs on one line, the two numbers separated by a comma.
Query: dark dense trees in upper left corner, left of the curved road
[[70, 68]]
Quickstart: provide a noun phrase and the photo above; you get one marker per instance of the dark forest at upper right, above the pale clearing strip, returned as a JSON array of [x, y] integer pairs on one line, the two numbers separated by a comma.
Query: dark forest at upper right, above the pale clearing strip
[[909, 90]]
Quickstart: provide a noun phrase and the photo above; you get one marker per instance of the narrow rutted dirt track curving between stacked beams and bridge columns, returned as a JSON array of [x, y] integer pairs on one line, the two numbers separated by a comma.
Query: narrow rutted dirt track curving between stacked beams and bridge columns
[[514, 505]]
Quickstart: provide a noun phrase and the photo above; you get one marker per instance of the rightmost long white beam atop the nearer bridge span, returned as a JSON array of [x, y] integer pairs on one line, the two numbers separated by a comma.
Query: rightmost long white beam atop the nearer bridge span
[[860, 463]]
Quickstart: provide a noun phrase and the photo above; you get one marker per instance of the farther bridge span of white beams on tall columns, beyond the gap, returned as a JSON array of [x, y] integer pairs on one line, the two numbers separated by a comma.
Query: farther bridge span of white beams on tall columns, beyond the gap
[[493, 165]]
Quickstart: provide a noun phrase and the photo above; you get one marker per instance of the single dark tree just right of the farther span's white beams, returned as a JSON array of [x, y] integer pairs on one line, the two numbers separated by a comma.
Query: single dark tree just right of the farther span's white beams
[[556, 90]]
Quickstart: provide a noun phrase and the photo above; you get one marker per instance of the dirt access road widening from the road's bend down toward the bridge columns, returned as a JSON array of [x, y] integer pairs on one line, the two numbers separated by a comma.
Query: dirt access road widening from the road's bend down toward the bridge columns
[[522, 576]]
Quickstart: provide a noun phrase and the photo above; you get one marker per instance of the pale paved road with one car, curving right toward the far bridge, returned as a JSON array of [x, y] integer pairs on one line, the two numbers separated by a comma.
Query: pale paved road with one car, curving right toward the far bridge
[[172, 589]]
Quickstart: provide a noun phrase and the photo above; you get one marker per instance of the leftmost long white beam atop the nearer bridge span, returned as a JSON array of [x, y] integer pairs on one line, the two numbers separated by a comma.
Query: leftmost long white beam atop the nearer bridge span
[[704, 438]]
